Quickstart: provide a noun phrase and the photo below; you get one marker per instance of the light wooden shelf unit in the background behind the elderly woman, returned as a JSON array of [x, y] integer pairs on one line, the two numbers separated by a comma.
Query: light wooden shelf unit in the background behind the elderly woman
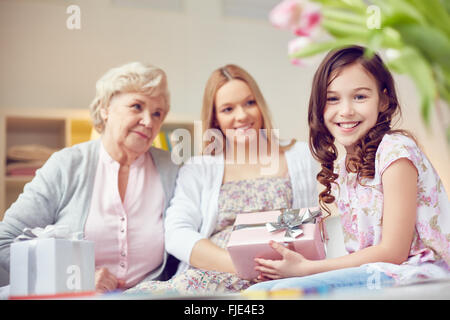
[[54, 128]]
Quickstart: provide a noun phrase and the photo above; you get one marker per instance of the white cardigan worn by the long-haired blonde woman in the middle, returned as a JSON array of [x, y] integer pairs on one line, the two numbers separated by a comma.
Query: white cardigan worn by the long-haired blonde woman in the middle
[[193, 210]]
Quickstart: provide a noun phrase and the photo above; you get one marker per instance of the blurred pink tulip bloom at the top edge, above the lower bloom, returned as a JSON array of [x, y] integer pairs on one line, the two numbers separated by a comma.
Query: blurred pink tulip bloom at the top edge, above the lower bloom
[[299, 16]]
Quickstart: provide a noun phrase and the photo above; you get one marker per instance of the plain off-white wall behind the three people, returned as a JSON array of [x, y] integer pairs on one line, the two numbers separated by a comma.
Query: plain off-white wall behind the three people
[[44, 64]]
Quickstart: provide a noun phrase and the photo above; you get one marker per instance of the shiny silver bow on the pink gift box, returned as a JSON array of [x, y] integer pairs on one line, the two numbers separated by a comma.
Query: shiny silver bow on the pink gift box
[[290, 220]]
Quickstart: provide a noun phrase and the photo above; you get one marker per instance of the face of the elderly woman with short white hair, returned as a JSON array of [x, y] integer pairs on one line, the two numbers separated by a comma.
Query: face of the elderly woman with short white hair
[[133, 120]]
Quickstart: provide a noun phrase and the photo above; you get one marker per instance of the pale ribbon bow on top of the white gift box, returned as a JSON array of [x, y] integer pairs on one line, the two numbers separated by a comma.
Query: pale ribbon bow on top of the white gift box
[[50, 231]]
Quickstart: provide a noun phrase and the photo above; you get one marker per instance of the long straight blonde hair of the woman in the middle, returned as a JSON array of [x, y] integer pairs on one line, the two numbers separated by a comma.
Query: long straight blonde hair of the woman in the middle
[[217, 79]]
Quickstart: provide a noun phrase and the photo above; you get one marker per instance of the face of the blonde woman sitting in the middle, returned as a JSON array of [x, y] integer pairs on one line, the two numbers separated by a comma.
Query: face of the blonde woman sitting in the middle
[[237, 112]]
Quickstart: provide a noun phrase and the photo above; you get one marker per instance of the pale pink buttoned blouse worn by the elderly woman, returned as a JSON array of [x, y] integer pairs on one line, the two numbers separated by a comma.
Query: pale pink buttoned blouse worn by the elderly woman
[[128, 236]]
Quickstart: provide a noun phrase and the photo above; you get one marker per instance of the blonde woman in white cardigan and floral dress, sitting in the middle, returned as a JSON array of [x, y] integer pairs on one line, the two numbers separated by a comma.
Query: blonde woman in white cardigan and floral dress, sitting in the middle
[[236, 174]]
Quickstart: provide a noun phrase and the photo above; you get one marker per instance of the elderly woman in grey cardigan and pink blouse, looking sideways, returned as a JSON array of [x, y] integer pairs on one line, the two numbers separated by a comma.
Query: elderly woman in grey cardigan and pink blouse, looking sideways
[[115, 189]]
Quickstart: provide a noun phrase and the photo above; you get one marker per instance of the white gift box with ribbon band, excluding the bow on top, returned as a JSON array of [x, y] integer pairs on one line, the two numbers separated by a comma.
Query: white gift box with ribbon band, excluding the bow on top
[[48, 266]]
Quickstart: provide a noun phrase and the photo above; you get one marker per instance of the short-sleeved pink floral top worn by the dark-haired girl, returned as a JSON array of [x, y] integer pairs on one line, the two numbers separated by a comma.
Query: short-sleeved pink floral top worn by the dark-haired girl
[[361, 210]]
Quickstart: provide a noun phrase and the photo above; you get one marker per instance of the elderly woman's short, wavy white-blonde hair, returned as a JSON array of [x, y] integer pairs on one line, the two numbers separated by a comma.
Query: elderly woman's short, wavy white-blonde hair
[[132, 77]]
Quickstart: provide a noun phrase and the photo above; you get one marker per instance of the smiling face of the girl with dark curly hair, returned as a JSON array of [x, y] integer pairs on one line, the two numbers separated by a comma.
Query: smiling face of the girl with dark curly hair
[[353, 104]]
